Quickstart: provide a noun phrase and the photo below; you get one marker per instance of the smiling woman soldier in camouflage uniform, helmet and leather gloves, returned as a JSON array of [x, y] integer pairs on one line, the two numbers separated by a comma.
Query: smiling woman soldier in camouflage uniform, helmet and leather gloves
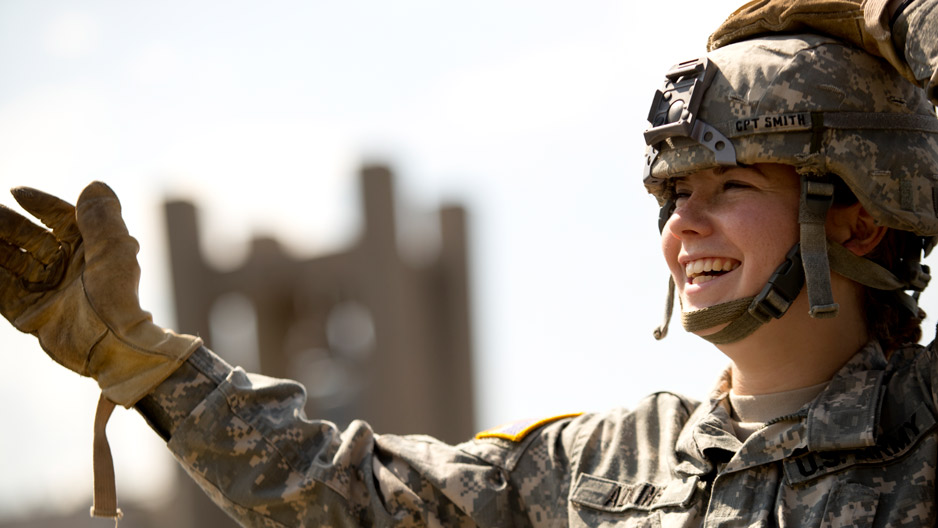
[[776, 159]]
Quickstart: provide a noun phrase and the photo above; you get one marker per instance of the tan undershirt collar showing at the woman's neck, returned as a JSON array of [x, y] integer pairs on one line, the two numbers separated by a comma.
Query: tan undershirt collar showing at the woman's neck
[[750, 413]]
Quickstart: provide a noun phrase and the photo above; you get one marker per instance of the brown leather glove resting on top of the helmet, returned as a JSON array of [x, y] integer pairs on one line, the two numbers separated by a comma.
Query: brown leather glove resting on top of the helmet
[[863, 23]]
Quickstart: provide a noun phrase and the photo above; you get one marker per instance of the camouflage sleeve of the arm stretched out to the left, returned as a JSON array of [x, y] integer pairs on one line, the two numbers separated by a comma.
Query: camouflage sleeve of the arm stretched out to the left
[[244, 439]]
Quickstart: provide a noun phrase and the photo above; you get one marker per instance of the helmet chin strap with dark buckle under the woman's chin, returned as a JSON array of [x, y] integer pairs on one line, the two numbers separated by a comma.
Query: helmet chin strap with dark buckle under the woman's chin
[[809, 261]]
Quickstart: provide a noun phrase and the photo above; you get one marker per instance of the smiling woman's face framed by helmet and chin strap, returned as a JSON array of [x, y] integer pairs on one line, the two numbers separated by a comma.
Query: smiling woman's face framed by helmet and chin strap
[[730, 230]]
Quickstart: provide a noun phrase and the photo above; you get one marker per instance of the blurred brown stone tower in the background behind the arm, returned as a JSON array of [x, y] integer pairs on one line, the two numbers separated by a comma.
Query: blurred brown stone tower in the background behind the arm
[[370, 335]]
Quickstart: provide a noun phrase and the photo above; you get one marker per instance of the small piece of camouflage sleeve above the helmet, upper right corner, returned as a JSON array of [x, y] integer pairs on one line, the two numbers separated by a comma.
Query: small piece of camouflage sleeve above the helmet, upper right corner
[[915, 34]]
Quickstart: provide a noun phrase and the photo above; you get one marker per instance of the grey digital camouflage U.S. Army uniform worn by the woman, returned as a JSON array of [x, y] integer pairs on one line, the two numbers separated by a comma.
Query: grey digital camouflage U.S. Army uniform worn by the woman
[[862, 453]]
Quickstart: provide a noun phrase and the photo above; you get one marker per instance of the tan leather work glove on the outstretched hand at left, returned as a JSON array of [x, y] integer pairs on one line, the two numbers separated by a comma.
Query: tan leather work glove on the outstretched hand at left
[[75, 288]]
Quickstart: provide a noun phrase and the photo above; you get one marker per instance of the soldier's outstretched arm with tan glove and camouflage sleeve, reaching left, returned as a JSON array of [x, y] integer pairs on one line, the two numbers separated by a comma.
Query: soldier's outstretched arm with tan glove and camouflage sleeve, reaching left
[[243, 437]]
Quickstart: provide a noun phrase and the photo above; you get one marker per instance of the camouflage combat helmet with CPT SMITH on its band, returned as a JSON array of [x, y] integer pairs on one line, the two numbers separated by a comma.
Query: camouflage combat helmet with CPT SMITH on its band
[[824, 108]]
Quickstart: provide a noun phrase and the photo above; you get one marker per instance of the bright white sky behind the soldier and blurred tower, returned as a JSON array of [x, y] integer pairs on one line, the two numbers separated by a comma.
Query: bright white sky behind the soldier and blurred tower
[[527, 113]]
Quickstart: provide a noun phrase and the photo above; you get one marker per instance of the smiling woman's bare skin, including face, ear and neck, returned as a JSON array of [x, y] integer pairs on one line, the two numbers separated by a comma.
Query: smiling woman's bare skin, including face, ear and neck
[[746, 219]]
